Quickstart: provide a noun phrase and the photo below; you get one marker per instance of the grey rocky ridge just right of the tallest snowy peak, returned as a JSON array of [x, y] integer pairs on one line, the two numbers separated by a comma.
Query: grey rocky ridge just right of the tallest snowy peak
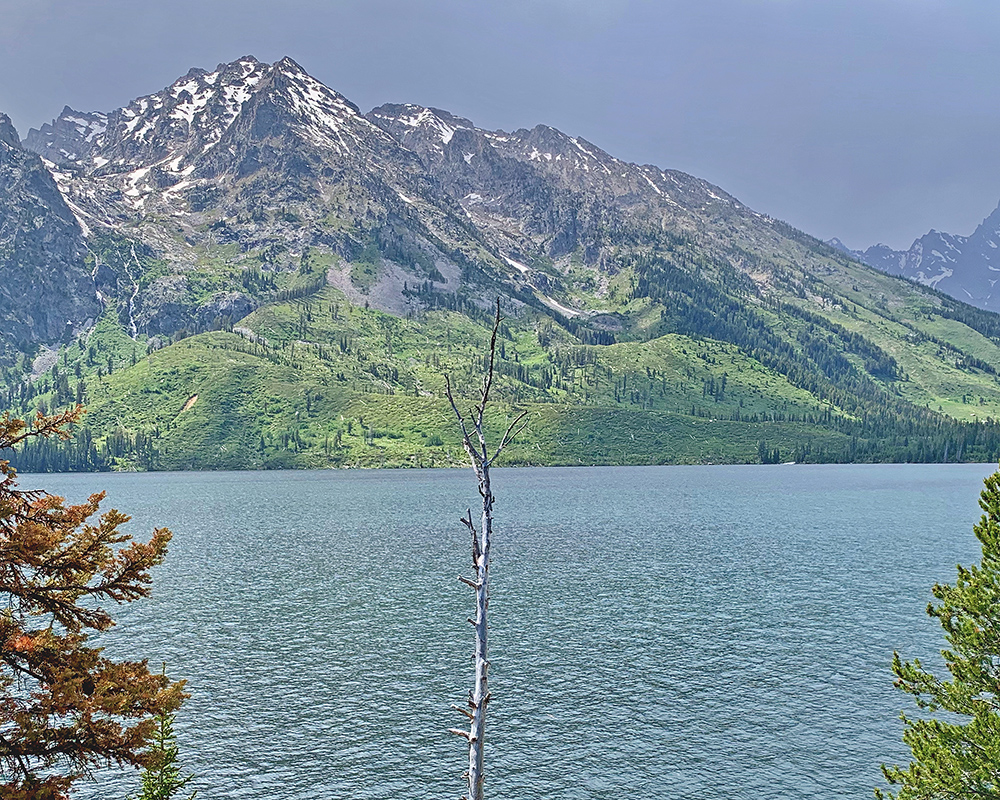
[[541, 193]]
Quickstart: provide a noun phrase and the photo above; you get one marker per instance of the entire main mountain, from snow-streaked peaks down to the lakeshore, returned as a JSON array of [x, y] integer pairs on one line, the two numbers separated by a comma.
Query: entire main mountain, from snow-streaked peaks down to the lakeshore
[[245, 270]]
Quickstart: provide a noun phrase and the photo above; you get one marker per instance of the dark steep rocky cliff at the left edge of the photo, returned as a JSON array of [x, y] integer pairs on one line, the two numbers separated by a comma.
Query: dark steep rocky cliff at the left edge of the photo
[[46, 291]]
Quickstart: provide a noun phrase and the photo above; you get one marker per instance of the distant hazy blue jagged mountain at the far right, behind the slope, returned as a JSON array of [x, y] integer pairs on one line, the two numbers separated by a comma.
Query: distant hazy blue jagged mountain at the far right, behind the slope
[[966, 267]]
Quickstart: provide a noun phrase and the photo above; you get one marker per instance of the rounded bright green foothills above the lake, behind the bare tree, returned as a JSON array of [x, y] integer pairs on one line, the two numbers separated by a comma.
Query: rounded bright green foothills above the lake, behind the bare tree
[[287, 403]]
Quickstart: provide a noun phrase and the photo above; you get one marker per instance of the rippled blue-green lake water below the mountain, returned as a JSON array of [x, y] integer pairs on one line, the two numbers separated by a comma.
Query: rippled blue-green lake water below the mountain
[[674, 632]]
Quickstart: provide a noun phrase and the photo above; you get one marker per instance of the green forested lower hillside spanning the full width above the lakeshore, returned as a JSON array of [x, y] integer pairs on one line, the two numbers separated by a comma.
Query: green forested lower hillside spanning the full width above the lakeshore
[[316, 381]]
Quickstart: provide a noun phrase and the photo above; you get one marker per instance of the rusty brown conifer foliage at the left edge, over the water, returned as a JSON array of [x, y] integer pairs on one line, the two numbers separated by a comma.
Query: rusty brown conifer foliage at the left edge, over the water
[[64, 707]]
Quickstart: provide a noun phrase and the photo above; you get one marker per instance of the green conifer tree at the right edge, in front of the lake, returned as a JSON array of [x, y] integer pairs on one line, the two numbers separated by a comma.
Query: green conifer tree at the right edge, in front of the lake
[[957, 754]]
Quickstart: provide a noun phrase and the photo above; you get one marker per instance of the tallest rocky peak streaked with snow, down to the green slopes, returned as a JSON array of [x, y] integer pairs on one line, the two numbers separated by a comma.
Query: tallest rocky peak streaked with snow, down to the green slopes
[[261, 157]]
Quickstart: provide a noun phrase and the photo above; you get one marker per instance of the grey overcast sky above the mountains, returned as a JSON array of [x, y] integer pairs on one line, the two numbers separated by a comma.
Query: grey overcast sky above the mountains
[[871, 120]]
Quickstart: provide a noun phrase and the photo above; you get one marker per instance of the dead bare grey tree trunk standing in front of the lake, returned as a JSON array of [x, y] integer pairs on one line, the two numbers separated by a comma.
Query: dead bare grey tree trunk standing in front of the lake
[[482, 460]]
